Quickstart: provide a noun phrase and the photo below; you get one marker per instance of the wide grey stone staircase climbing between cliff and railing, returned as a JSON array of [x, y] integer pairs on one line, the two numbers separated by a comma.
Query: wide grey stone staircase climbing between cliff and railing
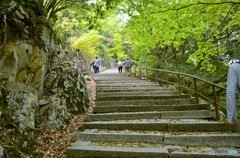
[[139, 118]]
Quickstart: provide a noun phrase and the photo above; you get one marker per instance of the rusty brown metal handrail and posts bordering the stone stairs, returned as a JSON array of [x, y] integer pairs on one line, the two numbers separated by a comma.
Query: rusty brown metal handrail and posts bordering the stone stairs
[[138, 72]]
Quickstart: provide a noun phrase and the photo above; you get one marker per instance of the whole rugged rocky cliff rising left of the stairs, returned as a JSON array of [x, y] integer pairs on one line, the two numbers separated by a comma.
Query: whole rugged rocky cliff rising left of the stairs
[[35, 82]]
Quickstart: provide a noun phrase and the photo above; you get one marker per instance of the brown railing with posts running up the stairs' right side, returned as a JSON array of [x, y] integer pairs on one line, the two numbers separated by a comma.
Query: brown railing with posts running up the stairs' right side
[[184, 83]]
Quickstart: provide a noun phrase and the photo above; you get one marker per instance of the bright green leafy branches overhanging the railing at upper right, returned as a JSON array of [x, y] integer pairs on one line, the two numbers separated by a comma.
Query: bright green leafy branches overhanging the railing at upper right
[[201, 33]]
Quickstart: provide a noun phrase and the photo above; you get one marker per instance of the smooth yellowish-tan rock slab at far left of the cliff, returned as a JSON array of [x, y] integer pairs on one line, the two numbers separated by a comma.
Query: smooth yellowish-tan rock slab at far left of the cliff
[[22, 70]]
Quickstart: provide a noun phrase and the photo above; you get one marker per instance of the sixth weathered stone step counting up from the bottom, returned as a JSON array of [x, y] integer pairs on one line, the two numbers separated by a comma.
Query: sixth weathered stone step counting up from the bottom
[[147, 102]]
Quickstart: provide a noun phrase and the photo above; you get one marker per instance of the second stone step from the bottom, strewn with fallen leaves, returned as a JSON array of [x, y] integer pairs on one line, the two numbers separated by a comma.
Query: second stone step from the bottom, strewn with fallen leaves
[[190, 139]]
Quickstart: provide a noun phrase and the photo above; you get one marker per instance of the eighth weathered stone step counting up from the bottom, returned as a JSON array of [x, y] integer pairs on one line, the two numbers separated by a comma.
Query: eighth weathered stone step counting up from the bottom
[[156, 93]]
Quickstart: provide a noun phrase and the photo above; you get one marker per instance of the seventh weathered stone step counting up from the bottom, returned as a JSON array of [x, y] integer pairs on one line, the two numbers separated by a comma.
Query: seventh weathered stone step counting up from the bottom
[[141, 97]]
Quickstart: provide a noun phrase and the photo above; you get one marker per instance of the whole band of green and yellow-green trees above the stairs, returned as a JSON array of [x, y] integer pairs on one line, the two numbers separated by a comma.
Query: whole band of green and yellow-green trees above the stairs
[[160, 33]]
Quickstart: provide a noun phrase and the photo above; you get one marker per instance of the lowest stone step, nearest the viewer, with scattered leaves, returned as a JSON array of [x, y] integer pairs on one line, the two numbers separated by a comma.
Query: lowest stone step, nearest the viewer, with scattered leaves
[[145, 150]]
